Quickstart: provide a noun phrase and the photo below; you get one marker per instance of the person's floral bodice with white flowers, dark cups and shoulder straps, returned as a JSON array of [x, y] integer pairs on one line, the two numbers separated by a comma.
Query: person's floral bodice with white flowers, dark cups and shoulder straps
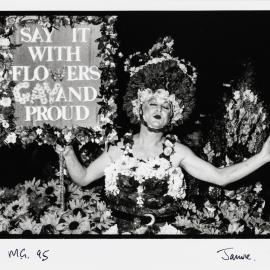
[[141, 186]]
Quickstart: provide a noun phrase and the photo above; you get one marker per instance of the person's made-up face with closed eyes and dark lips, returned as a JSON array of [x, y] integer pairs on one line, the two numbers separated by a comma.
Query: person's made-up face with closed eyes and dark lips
[[156, 112]]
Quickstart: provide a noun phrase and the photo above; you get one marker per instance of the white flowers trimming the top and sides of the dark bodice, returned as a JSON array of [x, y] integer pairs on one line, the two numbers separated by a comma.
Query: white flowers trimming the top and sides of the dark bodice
[[142, 170]]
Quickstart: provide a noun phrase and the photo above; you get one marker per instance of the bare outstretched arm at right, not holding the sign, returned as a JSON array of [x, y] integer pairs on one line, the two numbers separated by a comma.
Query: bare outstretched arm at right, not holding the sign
[[205, 171]]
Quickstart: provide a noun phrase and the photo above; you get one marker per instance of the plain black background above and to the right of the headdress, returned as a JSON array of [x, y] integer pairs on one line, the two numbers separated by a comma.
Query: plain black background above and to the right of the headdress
[[217, 43]]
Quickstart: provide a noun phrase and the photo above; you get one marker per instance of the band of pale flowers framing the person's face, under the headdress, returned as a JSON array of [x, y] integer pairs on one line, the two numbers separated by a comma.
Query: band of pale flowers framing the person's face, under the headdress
[[147, 94]]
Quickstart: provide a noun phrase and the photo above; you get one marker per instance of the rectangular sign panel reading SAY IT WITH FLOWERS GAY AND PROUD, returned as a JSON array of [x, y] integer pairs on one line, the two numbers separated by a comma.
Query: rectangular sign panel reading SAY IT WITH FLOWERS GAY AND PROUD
[[57, 76]]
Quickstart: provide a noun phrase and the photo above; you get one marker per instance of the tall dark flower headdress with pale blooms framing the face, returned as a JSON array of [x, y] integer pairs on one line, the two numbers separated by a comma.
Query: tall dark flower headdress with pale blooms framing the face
[[158, 73]]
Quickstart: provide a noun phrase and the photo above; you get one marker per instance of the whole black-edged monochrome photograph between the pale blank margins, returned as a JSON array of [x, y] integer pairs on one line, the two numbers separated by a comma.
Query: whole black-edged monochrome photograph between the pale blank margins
[[134, 124]]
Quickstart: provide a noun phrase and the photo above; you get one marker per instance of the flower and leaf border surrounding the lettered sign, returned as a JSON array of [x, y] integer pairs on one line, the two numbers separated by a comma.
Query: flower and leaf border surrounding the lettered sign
[[108, 46]]
